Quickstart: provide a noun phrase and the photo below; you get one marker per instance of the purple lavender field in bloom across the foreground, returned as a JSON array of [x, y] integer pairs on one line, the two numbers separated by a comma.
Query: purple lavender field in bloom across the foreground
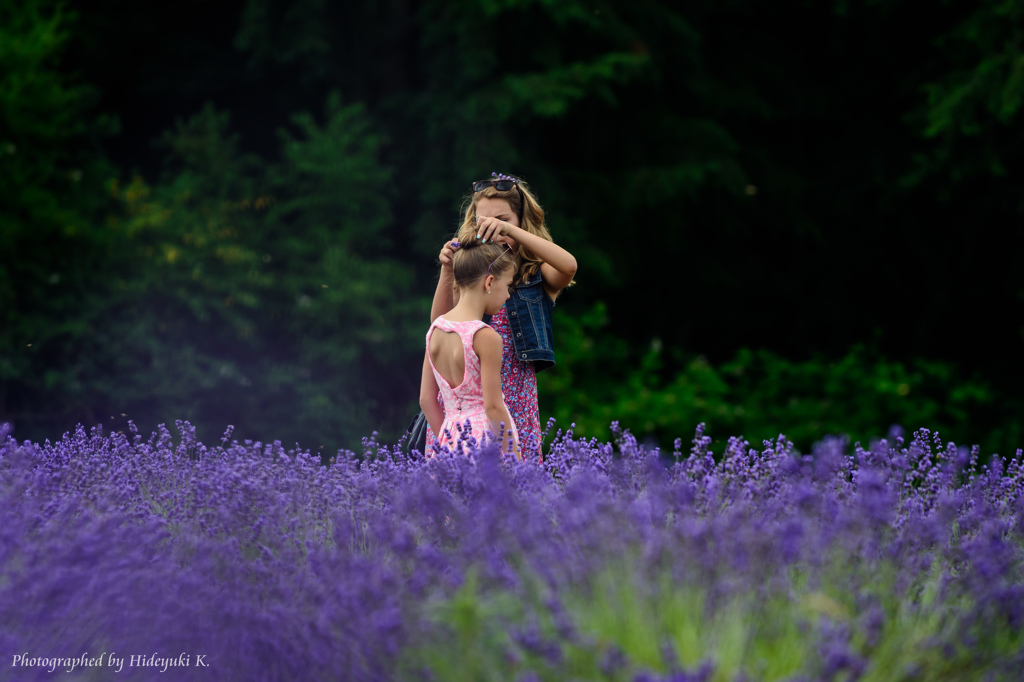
[[610, 562]]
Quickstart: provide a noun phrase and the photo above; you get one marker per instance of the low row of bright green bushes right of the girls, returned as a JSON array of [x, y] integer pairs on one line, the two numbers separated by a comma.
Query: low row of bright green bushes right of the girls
[[666, 393]]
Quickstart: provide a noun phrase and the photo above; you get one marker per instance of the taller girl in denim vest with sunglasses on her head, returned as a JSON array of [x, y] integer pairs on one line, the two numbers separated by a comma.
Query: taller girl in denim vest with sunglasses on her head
[[503, 210]]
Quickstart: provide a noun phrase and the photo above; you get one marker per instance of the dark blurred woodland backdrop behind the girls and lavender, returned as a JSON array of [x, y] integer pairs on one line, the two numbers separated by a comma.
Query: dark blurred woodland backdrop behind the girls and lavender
[[801, 219]]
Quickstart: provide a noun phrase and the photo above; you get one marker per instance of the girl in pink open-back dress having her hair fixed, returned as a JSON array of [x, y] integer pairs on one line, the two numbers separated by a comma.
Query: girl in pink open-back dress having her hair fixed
[[463, 359]]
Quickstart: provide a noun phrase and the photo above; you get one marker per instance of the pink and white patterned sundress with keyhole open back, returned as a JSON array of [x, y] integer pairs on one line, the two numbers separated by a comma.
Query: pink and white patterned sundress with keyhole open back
[[465, 402]]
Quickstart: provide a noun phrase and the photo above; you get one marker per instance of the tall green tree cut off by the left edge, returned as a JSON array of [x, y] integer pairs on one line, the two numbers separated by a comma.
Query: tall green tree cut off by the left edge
[[53, 240]]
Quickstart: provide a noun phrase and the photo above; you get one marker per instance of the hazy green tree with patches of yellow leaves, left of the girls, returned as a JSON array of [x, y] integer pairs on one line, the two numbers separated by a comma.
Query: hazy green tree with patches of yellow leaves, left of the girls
[[190, 283]]
